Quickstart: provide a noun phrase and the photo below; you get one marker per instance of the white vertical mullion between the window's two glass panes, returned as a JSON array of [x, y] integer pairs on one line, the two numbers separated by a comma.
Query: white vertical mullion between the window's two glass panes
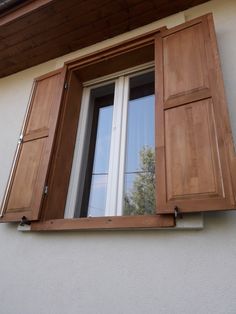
[[113, 176]]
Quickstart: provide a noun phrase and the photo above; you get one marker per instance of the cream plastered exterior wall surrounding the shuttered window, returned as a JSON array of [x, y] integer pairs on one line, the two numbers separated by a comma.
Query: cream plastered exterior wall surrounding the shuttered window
[[162, 271]]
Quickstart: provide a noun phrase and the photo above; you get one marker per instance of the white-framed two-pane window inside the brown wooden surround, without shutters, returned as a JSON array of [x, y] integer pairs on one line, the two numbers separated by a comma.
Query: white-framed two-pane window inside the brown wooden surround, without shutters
[[116, 164]]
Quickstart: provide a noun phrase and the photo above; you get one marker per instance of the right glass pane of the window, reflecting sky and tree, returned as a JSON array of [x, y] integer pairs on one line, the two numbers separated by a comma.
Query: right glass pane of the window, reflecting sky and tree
[[139, 185]]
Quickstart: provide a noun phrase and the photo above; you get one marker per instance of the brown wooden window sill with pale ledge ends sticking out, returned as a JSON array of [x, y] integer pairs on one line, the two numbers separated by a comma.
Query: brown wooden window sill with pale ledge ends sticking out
[[192, 222]]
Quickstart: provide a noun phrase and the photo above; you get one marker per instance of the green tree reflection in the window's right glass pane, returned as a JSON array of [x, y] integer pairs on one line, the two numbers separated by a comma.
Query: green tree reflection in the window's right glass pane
[[140, 199]]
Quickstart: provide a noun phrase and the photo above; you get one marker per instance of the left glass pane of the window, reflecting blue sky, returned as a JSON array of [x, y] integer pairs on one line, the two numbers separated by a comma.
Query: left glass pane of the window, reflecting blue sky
[[97, 160]]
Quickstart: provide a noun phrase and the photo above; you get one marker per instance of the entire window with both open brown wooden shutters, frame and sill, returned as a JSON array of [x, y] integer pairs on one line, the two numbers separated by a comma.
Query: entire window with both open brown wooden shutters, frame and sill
[[174, 114]]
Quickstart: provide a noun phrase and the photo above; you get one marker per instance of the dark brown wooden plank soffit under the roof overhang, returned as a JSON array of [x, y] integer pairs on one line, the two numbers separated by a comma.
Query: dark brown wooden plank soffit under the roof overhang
[[59, 27]]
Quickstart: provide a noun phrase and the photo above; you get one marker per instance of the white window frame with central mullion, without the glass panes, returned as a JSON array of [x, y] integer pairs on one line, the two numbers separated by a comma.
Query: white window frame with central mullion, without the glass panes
[[115, 184]]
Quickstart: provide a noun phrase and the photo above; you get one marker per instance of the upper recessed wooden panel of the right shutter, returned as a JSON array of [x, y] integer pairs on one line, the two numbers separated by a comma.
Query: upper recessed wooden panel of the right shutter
[[188, 52]]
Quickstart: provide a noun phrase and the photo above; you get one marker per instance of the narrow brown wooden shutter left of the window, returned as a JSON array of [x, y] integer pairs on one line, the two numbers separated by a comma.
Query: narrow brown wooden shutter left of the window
[[26, 186]]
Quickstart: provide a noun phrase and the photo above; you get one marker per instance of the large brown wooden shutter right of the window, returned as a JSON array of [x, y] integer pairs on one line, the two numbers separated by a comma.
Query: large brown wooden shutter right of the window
[[192, 123]]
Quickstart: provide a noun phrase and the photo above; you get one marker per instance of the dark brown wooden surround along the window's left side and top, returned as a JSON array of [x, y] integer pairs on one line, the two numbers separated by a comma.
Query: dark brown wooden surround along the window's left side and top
[[117, 58]]
